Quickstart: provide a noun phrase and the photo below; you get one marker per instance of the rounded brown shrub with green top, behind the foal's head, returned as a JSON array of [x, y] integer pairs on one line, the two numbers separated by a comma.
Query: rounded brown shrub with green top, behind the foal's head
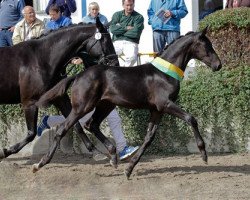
[[229, 33]]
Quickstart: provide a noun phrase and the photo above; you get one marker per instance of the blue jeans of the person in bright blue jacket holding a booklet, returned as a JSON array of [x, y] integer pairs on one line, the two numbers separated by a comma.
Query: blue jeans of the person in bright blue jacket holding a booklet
[[162, 38]]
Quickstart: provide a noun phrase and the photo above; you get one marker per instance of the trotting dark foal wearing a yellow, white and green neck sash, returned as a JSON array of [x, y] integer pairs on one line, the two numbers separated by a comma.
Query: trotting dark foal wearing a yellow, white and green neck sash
[[141, 87]]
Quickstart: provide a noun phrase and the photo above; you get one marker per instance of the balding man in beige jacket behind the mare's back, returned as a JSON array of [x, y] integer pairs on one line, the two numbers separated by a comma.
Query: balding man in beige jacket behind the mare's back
[[29, 27]]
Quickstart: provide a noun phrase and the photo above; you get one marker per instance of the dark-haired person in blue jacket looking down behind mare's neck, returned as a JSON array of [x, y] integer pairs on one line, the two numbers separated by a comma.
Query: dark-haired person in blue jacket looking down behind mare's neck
[[57, 20]]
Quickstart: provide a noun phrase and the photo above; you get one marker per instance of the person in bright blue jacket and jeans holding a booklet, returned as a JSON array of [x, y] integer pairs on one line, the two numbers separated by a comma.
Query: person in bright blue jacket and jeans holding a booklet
[[165, 16]]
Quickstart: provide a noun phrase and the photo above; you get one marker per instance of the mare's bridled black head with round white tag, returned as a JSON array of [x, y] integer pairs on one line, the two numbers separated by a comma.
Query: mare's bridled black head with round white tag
[[101, 47]]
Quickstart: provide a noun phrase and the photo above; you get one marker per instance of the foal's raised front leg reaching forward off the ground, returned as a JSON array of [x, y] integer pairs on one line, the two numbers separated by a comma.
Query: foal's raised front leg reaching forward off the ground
[[174, 110]]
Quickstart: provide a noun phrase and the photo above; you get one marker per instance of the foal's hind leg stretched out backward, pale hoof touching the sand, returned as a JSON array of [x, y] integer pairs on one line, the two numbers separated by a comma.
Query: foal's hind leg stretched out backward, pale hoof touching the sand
[[62, 130]]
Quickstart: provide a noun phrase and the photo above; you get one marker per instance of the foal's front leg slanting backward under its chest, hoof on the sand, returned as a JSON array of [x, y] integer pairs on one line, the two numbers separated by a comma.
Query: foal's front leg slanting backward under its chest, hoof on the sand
[[151, 130]]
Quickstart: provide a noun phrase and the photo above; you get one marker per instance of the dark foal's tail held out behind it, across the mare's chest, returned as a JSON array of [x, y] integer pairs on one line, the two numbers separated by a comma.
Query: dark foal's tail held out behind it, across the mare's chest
[[58, 90]]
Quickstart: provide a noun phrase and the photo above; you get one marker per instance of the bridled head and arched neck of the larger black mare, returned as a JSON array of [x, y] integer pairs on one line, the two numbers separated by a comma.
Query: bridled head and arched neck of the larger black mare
[[60, 46]]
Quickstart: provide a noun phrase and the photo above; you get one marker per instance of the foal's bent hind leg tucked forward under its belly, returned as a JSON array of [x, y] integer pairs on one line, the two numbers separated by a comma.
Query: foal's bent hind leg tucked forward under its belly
[[93, 125]]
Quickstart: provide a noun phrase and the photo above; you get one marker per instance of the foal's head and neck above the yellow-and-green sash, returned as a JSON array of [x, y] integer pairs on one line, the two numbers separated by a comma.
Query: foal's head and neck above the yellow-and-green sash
[[193, 45]]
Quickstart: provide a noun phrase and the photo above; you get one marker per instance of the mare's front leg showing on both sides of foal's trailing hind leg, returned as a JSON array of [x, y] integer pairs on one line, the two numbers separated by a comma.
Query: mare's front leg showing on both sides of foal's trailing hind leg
[[64, 105]]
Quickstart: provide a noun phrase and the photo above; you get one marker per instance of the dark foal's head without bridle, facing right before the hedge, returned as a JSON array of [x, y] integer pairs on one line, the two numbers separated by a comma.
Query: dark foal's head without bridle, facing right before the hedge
[[203, 50]]
